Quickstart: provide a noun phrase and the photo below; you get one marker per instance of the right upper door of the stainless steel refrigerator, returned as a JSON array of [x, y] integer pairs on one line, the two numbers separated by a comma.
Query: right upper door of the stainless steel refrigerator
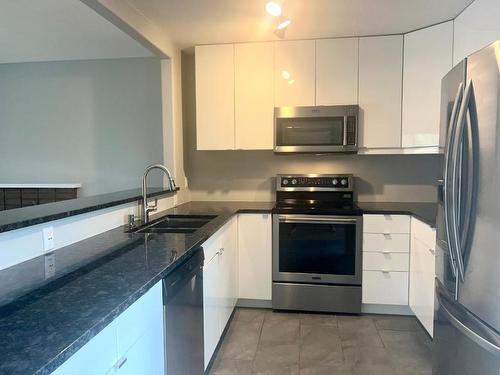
[[479, 290]]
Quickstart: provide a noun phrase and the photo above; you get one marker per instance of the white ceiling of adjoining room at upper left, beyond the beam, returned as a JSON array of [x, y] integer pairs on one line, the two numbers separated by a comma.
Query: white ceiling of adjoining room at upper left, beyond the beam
[[50, 30]]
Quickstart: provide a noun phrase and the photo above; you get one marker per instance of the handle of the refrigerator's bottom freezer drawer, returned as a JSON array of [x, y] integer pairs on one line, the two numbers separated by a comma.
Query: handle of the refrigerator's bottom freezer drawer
[[464, 324]]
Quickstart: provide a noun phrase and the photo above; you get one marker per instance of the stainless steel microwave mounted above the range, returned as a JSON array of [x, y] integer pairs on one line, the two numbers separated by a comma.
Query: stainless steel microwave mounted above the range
[[319, 129]]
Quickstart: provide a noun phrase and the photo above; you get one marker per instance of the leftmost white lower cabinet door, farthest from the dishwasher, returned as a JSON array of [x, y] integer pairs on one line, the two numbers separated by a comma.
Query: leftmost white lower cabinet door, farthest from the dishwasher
[[96, 357]]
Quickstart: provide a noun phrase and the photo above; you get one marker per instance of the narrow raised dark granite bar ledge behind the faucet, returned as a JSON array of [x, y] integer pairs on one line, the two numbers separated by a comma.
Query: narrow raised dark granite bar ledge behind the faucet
[[27, 216]]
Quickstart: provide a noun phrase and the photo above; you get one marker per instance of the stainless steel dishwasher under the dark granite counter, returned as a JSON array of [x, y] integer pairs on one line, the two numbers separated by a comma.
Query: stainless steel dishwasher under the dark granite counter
[[183, 308]]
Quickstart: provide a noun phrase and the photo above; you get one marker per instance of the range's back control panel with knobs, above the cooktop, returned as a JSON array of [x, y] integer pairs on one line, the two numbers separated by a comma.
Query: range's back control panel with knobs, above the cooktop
[[315, 182]]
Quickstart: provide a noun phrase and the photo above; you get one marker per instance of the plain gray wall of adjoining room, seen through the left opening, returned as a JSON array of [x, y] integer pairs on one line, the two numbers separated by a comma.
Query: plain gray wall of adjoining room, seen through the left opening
[[97, 122]]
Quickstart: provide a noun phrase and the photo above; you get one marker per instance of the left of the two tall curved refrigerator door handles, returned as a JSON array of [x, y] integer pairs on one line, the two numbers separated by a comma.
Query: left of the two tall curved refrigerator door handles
[[456, 180]]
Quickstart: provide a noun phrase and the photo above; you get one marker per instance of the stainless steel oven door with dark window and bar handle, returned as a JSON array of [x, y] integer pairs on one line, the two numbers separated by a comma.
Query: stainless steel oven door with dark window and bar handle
[[317, 249]]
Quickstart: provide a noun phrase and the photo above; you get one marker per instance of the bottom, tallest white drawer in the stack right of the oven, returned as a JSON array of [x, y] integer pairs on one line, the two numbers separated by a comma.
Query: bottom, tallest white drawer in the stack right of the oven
[[388, 288]]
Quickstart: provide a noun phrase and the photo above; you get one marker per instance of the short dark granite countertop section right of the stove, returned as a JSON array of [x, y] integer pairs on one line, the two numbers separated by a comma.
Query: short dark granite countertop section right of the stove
[[425, 212]]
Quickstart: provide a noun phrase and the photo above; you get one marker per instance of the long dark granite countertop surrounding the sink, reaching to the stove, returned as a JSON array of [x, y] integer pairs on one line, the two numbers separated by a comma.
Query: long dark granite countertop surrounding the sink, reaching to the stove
[[43, 328]]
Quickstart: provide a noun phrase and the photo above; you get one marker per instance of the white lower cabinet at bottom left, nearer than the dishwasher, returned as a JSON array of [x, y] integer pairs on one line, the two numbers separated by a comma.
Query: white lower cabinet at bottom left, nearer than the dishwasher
[[131, 344]]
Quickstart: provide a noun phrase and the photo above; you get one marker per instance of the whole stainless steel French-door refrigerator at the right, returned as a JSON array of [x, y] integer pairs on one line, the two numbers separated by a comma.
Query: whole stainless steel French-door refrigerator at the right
[[467, 318]]
